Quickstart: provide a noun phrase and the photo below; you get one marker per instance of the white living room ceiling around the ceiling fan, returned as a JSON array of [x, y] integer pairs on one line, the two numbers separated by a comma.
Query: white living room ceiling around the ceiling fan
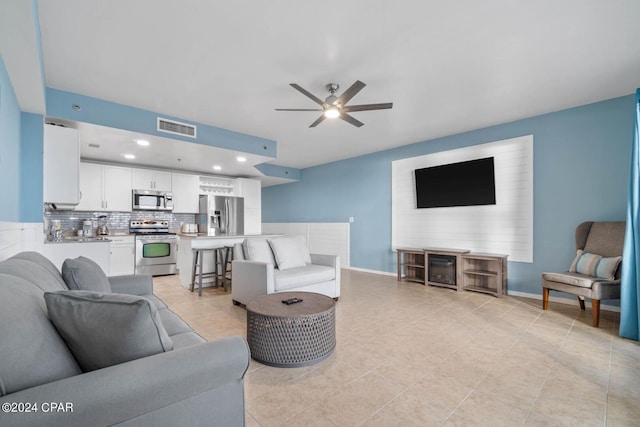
[[448, 67]]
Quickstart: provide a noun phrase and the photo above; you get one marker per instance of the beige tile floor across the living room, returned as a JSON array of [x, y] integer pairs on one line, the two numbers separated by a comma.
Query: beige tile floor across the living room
[[408, 355]]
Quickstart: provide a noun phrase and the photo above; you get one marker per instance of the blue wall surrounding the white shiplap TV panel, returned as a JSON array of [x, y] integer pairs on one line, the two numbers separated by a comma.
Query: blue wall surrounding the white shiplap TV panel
[[581, 162]]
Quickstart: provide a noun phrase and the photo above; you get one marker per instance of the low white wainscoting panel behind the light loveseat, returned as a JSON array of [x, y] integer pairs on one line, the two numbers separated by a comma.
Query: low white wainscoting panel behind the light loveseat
[[331, 238]]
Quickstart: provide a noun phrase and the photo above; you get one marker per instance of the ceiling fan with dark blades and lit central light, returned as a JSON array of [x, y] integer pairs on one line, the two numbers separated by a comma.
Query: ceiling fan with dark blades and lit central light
[[335, 106]]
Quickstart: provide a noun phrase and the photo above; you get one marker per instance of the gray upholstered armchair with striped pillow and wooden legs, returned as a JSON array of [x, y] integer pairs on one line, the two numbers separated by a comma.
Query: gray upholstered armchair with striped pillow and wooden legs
[[585, 278]]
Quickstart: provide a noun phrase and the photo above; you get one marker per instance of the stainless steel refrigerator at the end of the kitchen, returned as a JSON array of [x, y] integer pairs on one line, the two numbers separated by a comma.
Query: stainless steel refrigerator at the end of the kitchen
[[221, 215]]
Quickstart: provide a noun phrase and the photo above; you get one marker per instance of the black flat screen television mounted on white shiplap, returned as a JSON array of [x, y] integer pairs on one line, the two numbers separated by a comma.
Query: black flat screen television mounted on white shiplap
[[469, 183]]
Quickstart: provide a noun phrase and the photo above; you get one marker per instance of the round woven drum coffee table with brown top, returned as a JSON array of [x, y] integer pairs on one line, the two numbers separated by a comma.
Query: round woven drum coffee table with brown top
[[292, 335]]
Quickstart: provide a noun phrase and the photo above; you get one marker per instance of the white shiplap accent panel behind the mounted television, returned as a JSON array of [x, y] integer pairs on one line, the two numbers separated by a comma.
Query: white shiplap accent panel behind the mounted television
[[504, 228]]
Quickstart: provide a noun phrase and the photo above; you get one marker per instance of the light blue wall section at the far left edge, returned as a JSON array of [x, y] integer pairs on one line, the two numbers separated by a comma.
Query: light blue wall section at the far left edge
[[9, 149]]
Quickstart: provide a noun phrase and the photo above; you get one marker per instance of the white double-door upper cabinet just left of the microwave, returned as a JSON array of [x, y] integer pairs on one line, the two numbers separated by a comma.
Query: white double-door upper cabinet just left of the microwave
[[104, 188]]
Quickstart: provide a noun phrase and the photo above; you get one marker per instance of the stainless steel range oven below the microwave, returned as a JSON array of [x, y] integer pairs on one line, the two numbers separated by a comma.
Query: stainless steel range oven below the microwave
[[156, 247]]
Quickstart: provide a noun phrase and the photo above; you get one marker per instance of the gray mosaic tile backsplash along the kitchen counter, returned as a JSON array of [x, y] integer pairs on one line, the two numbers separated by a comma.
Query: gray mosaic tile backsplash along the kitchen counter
[[72, 220]]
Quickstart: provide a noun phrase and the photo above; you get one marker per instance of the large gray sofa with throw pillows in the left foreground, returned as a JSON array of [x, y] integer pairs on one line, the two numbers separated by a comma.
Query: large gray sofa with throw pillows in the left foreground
[[92, 358]]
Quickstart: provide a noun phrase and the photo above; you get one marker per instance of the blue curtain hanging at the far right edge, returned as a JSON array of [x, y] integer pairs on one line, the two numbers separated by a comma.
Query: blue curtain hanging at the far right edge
[[630, 288]]
